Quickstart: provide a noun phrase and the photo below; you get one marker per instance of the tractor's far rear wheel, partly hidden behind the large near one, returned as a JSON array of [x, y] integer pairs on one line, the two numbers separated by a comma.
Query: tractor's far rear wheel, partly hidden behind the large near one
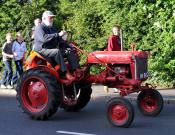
[[83, 95]]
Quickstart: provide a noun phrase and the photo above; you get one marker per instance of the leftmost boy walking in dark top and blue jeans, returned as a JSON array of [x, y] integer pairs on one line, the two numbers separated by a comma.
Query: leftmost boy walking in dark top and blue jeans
[[7, 60]]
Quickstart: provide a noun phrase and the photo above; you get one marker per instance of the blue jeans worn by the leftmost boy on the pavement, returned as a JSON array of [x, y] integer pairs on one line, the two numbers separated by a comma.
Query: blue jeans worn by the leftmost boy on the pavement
[[7, 75]]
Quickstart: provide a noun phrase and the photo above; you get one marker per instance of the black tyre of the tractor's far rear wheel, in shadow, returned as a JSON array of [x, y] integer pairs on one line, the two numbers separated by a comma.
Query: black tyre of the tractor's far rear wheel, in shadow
[[82, 101]]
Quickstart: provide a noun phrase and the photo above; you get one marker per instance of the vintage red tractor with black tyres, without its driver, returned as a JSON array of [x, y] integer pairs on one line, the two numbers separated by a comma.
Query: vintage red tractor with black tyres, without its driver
[[40, 91]]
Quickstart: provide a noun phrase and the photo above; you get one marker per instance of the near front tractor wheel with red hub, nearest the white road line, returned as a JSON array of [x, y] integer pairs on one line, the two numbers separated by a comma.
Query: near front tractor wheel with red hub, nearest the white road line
[[120, 112]]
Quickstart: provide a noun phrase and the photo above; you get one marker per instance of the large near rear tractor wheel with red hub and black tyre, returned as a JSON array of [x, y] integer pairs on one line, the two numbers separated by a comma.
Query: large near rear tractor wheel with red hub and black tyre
[[38, 93]]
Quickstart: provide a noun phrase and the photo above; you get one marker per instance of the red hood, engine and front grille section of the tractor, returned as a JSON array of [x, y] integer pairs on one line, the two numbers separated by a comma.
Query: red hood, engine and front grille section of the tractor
[[122, 67]]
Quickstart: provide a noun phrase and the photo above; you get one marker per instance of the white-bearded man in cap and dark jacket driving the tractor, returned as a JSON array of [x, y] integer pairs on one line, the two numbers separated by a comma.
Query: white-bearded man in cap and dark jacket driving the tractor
[[48, 43]]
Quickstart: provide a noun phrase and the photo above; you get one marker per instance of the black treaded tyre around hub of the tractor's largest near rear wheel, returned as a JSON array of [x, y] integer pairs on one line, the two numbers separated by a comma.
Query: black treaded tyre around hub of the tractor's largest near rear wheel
[[54, 95]]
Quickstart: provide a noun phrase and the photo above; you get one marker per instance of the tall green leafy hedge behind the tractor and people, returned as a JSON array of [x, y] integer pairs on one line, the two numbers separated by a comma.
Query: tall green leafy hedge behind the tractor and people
[[148, 23]]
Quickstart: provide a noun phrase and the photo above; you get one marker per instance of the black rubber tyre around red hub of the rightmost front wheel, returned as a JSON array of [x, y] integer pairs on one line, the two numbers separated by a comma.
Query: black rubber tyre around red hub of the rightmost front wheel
[[155, 94]]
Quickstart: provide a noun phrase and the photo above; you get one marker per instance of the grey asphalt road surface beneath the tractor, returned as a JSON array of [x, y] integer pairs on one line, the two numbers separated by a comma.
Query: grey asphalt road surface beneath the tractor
[[90, 121]]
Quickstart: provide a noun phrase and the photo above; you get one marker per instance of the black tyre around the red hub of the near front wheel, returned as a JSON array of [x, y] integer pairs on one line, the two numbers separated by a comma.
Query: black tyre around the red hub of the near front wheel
[[127, 104]]
